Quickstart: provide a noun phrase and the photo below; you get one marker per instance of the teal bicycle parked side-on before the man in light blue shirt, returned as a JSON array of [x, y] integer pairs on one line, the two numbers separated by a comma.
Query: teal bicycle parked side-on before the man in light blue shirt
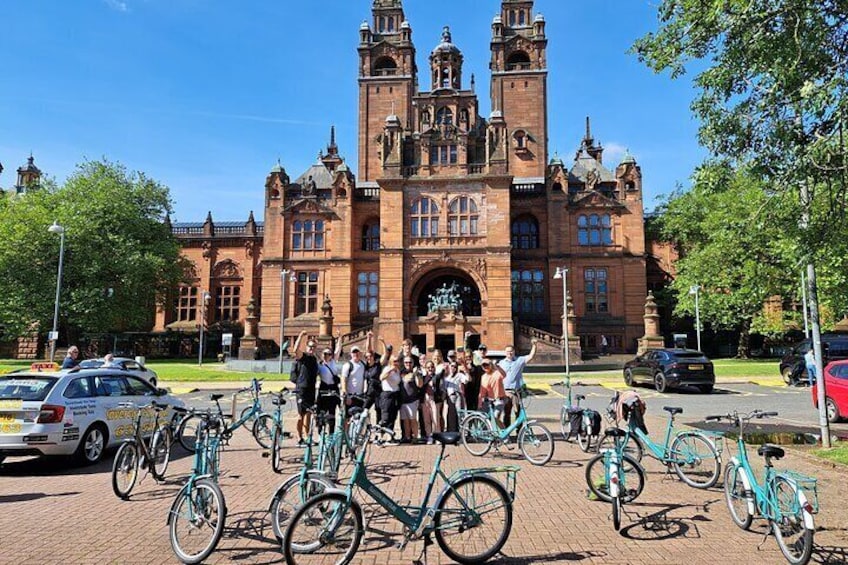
[[480, 431]]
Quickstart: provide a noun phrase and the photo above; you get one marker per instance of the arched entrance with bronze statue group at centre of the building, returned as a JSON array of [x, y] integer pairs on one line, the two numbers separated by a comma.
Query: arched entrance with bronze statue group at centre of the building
[[444, 304]]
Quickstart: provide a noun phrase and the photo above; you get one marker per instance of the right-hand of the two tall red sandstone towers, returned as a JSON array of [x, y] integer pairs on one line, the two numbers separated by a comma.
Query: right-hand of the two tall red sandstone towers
[[519, 85]]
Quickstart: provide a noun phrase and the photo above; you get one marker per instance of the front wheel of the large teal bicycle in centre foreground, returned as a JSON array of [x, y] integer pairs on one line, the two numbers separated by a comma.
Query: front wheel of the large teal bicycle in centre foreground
[[326, 529]]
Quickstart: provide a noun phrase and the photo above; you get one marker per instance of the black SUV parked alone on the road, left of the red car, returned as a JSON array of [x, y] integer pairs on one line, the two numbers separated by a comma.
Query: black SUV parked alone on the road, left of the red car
[[666, 368]]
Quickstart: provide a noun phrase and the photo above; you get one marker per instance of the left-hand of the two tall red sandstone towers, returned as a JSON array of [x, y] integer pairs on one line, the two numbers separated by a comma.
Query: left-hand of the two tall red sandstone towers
[[387, 81]]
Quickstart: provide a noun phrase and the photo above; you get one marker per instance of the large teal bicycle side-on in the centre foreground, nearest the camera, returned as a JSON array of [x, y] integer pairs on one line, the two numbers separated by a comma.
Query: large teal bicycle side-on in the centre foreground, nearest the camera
[[471, 517]]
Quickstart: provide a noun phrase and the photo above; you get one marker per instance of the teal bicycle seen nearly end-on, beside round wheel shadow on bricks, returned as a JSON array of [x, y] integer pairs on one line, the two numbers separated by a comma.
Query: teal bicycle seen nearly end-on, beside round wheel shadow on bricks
[[615, 477]]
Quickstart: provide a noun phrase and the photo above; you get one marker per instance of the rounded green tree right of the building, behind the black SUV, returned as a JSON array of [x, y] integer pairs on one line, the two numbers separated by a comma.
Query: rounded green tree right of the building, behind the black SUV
[[731, 244]]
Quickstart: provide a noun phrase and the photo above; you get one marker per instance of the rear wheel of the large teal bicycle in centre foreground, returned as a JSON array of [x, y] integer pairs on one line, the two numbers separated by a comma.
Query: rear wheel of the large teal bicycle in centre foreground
[[473, 519]]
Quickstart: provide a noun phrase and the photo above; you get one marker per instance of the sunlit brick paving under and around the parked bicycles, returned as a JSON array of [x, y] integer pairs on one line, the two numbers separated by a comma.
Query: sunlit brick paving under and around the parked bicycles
[[70, 515]]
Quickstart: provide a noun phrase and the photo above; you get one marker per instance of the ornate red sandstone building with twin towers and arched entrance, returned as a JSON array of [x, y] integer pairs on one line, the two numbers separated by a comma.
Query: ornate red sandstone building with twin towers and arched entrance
[[443, 198]]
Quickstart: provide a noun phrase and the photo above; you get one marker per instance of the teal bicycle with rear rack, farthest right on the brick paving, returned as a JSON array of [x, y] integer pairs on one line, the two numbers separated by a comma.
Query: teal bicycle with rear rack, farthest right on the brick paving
[[787, 500]]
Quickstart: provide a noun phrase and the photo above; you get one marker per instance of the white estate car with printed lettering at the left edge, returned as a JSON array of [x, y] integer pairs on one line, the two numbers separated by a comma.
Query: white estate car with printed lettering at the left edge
[[72, 412]]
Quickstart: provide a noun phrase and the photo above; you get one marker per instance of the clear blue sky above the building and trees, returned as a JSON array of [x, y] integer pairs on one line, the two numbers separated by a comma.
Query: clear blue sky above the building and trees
[[206, 95]]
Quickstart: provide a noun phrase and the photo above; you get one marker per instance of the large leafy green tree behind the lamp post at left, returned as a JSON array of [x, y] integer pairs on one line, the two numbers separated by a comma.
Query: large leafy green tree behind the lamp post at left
[[119, 255]]
